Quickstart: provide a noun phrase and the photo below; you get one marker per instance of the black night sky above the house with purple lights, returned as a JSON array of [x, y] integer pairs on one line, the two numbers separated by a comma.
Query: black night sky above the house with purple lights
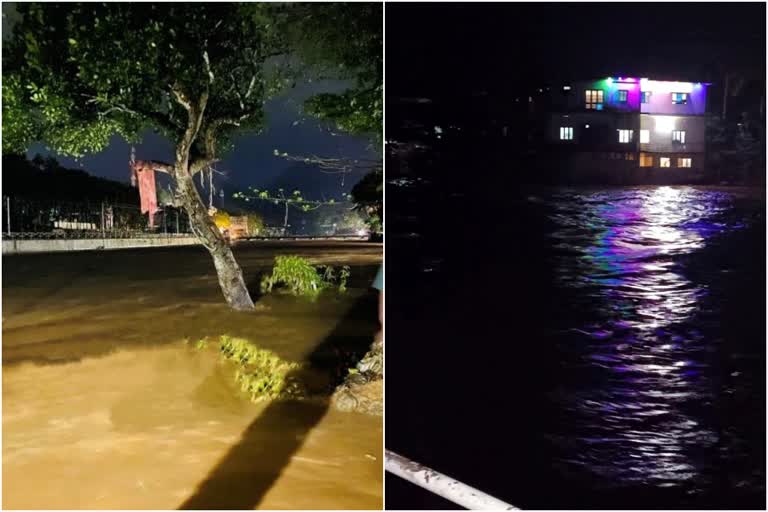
[[475, 46]]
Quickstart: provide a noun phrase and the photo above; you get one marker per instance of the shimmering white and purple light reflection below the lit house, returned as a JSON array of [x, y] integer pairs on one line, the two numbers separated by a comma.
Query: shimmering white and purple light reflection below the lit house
[[639, 418]]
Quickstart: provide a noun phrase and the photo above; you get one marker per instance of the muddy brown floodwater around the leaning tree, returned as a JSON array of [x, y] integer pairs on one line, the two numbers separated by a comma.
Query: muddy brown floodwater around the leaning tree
[[105, 407]]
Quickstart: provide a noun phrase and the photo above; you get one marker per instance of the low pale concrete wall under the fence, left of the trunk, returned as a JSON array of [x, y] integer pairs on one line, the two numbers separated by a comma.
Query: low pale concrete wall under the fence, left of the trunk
[[22, 246]]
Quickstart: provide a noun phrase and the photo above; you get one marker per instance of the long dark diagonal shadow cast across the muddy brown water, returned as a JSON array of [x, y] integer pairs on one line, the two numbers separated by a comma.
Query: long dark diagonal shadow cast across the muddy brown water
[[251, 467]]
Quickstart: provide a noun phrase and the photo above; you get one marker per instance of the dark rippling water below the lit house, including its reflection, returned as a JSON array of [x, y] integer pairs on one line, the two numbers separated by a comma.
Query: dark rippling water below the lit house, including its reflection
[[583, 348]]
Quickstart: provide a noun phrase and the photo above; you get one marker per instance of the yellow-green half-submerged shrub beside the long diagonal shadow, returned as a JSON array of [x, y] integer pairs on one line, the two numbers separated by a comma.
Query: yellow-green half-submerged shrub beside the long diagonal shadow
[[262, 374]]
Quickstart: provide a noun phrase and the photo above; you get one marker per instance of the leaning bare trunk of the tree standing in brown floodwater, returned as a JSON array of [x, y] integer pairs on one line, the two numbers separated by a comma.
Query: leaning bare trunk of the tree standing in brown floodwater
[[229, 273]]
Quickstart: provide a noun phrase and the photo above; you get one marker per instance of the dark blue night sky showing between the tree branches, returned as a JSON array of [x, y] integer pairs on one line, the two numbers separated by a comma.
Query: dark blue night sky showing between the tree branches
[[252, 162]]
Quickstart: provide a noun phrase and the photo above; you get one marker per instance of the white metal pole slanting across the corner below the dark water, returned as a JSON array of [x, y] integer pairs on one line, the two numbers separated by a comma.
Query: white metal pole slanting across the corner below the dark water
[[442, 485]]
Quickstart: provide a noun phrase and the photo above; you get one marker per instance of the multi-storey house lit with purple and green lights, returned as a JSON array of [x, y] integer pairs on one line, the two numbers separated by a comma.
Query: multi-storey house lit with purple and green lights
[[646, 127]]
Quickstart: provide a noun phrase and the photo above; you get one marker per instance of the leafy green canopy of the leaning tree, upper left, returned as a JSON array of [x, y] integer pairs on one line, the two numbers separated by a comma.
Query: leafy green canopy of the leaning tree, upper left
[[75, 74]]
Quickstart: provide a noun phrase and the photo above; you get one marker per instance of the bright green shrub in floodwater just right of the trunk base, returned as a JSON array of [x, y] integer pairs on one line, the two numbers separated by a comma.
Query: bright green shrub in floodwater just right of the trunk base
[[302, 278]]
